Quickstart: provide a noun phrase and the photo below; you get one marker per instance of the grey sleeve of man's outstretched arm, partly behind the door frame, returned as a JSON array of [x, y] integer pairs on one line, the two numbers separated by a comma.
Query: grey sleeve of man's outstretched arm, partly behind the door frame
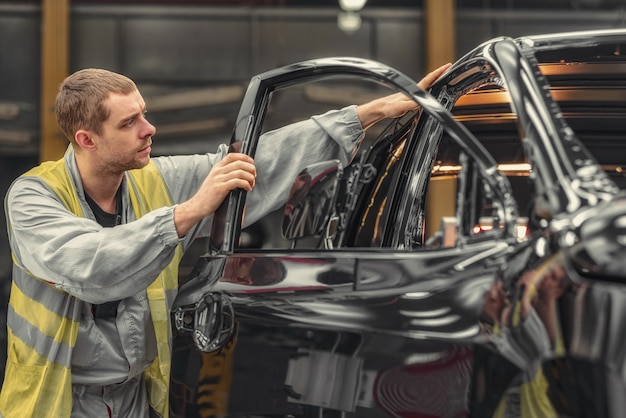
[[281, 155]]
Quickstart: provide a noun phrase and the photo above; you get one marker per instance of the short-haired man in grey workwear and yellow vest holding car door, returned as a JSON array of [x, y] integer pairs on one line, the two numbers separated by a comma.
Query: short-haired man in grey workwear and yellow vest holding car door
[[96, 238]]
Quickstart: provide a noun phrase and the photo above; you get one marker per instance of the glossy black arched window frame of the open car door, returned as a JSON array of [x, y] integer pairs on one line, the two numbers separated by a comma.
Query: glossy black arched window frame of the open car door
[[255, 104]]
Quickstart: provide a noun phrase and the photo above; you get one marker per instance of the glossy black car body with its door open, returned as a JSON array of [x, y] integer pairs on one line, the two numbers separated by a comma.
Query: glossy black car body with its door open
[[469, 263]]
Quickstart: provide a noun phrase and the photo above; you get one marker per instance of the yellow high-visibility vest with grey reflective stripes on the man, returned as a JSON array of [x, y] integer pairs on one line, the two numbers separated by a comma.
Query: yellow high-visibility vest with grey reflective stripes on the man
[[45, 320]]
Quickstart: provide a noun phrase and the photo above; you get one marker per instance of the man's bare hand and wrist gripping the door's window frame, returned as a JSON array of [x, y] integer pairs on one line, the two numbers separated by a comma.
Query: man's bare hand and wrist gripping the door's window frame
[[235, 171]]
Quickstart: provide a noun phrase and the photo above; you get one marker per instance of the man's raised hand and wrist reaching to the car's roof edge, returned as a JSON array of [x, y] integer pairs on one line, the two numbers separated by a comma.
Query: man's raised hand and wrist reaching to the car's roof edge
[[395, 105]]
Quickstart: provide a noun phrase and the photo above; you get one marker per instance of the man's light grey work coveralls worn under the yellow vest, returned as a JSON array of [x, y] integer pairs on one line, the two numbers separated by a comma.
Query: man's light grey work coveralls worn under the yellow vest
[[98, 265]]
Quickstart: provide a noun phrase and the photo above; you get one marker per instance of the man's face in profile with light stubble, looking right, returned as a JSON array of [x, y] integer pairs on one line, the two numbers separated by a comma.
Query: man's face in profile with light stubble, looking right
[[126, 135]]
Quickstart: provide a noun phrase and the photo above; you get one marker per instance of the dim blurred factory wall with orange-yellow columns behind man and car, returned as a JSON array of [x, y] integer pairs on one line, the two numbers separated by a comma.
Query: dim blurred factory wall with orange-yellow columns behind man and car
[[192, 59]]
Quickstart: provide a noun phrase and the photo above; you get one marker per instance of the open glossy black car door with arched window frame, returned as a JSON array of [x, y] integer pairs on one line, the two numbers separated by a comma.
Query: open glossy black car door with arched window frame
[[307, 322]]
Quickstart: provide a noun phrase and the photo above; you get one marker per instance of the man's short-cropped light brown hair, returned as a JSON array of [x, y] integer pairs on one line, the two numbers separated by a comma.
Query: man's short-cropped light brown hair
[[80, 101]]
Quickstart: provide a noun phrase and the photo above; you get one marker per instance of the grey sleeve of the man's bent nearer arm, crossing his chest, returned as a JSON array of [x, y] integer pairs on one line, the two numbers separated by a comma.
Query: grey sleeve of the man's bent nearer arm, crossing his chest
[[79, 256]]
